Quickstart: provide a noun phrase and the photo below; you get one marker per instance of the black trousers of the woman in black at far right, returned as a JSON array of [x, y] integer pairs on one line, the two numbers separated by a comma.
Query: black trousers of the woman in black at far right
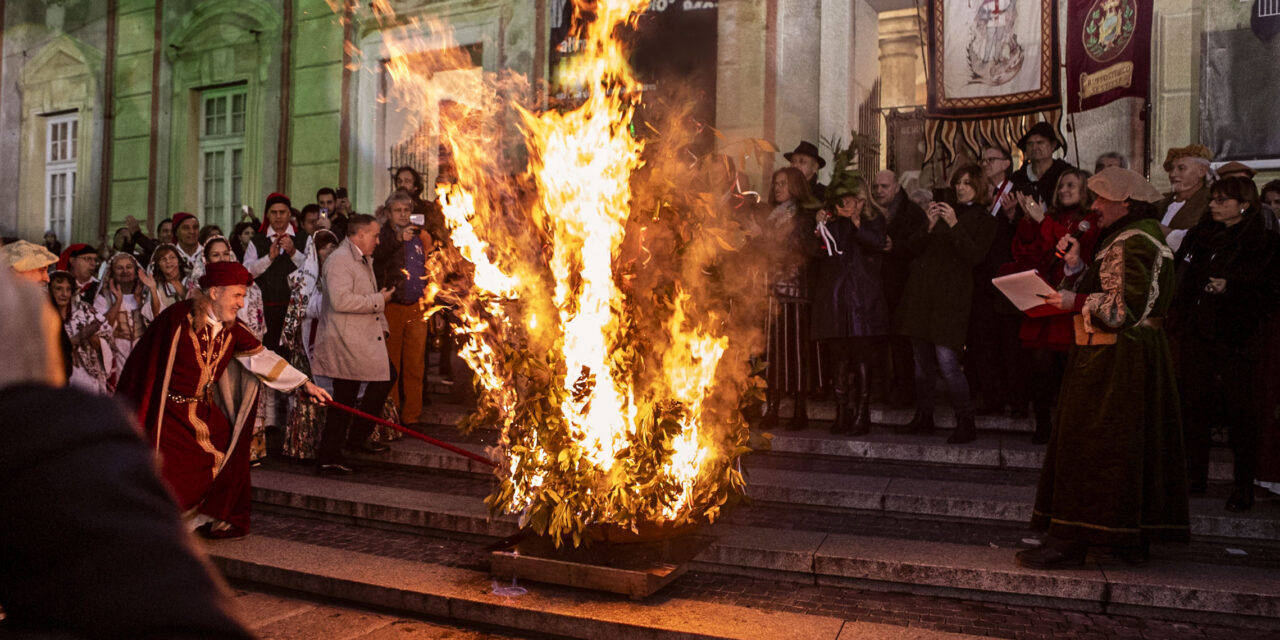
[[1219, 386]]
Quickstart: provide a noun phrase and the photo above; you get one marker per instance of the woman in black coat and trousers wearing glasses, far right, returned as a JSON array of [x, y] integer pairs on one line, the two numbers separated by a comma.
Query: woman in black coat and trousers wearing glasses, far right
[[1227, 281]]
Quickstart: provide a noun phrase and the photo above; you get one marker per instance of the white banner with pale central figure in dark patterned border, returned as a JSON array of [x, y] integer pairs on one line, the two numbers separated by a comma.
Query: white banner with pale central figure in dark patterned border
[[993, 58]]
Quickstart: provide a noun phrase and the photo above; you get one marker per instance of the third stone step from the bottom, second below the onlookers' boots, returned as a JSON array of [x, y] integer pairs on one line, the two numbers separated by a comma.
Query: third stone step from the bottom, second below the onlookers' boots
[[889, 493]]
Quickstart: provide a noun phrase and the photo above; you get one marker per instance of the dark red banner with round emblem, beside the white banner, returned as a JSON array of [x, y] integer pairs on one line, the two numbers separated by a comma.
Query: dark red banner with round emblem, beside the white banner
[[1108, 52]]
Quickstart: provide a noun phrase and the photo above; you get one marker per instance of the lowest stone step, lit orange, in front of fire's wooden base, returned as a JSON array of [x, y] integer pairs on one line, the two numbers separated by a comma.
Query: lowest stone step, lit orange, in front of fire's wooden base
[[468, 596]]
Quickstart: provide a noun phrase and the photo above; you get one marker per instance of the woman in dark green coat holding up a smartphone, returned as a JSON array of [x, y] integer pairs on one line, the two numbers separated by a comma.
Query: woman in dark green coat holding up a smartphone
[[935, 309]]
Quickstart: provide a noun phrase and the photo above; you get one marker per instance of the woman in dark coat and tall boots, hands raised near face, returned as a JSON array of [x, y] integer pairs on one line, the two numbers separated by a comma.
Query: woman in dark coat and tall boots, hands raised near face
[[849, 308]]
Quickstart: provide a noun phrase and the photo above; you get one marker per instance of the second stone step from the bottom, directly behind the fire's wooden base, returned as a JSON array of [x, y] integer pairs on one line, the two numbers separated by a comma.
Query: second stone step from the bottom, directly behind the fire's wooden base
[[1169, 588]]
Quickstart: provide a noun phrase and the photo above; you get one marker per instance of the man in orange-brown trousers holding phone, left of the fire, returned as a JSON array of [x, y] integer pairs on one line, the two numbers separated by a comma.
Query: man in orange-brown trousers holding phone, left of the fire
[[400, 264]]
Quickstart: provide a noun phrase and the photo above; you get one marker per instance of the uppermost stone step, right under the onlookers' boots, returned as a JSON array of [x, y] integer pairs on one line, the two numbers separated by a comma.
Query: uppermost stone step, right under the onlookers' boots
[[1000, 450]]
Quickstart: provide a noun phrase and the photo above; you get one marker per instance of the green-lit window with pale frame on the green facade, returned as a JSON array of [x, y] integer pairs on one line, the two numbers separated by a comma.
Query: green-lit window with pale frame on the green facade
[[222, 154]]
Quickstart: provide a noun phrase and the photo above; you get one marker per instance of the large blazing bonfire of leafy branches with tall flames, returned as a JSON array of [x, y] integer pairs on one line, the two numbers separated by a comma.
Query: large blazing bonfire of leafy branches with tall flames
[[595, 290]]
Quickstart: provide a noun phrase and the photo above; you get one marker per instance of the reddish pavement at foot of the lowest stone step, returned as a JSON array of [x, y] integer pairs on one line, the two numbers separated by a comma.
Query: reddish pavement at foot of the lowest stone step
[[273, 616]]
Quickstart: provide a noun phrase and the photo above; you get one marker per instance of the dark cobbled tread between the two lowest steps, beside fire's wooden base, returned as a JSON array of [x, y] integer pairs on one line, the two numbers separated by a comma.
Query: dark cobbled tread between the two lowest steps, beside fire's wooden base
[[852, 605]]
